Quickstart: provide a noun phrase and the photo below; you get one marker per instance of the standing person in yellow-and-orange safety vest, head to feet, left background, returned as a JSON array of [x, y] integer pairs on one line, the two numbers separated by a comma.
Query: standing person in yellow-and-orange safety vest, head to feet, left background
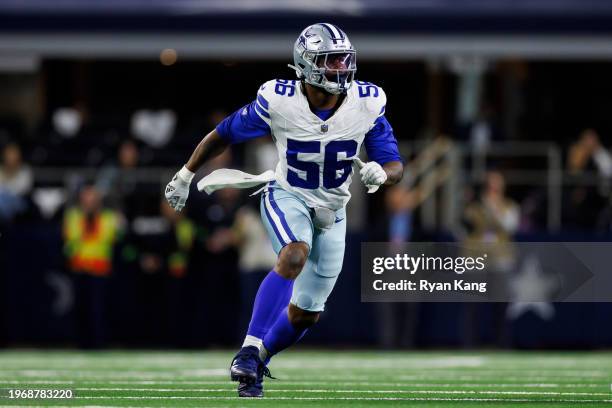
[[90, 233]]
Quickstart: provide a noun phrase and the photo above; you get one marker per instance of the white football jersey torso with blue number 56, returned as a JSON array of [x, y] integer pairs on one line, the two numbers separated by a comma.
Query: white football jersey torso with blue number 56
[[315, 155]]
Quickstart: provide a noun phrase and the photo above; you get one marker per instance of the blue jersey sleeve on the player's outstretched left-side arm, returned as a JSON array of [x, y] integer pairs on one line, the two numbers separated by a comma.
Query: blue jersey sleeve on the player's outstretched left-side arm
[[249, 122]]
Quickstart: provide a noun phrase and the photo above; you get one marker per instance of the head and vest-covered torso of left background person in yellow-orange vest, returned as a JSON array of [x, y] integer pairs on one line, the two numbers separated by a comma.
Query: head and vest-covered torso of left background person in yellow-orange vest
[[90, 233]]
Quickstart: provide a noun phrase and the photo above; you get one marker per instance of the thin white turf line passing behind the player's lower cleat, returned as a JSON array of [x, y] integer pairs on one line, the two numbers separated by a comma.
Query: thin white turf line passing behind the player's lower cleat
[[334, 391]]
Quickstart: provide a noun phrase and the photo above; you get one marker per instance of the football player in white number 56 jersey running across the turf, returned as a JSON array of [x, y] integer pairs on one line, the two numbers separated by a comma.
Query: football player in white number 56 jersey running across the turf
[[318, 123]]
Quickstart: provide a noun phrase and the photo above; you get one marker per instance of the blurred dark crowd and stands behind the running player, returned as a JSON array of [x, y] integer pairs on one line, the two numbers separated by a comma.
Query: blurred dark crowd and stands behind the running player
[[87, 236]]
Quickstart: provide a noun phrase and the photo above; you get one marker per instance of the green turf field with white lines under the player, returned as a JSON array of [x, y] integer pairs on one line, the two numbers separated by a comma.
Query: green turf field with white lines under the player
[[315, 379]]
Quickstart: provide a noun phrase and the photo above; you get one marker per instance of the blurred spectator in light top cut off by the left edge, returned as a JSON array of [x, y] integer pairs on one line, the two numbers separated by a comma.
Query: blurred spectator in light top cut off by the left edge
[[16, 182]]
